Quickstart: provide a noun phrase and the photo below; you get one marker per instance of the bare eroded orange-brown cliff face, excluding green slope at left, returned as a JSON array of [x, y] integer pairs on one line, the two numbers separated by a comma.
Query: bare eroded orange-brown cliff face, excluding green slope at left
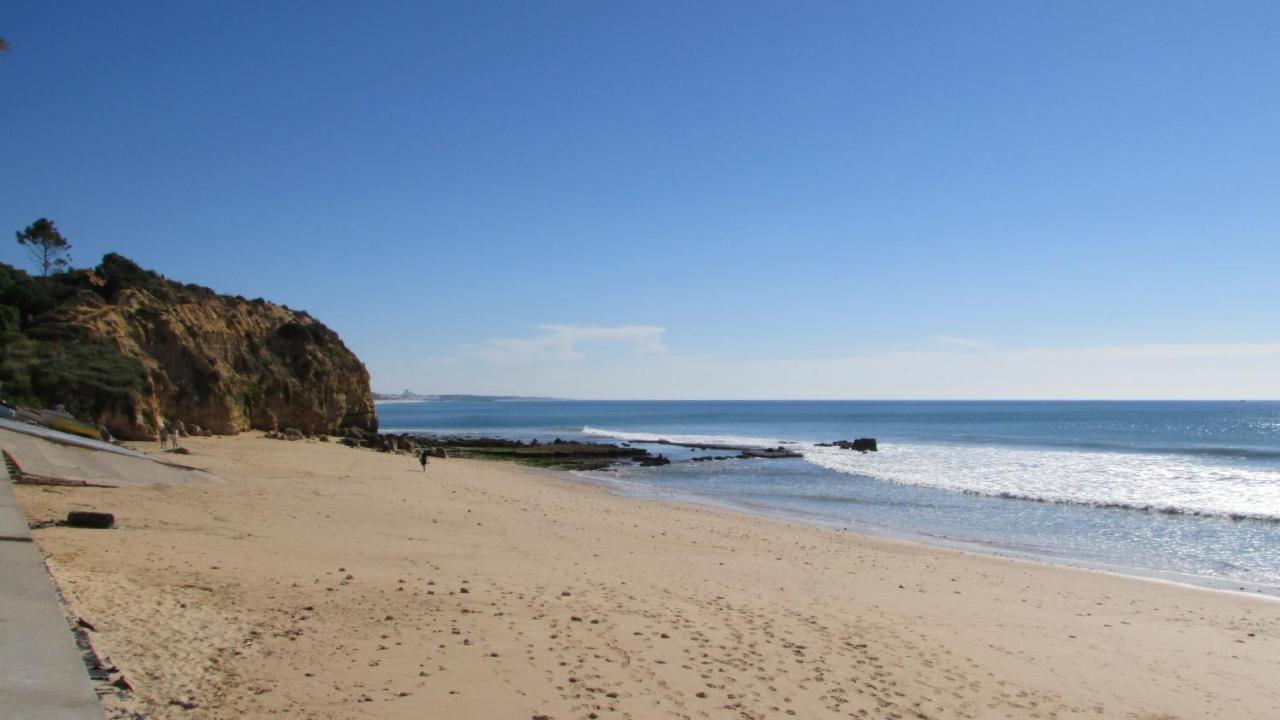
[[223, 363]]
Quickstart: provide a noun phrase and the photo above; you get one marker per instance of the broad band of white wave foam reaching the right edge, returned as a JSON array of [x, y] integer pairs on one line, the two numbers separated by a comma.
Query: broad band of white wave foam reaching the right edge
[[1163, 484]]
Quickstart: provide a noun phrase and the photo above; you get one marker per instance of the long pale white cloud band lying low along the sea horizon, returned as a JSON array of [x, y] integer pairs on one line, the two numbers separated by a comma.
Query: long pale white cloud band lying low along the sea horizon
[[1131, 372]]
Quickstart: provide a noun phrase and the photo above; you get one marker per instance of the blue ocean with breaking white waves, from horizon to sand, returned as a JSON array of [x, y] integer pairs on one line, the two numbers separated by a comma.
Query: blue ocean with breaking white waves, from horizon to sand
[[1183, 491]]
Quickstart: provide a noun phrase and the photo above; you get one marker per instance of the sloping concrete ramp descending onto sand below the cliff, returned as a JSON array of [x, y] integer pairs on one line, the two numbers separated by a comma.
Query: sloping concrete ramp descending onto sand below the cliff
[[49, 455]]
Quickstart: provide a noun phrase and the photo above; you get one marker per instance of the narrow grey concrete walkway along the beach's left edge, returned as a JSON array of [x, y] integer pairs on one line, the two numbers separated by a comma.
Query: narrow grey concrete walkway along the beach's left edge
[[43, 676]]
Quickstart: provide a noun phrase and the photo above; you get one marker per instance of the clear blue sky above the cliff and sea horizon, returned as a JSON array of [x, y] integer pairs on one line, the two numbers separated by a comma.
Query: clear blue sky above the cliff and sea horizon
[[687, 200]]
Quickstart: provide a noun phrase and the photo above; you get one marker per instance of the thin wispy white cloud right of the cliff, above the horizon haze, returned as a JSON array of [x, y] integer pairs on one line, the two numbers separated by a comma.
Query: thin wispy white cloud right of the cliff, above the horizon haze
[[564, 344]]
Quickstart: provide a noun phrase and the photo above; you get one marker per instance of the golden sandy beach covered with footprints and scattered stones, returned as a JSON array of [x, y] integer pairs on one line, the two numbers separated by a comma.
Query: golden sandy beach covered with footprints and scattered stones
[[327, 582]]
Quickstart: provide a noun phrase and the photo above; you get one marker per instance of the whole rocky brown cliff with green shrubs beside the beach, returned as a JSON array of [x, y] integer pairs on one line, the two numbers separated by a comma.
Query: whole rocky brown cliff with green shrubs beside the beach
[[126, 348]]
